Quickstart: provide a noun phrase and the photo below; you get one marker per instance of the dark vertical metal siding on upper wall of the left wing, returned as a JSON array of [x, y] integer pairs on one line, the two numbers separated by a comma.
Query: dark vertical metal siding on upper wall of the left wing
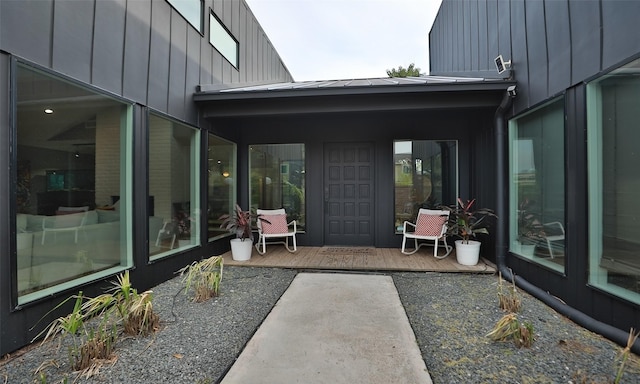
[[141, 50]]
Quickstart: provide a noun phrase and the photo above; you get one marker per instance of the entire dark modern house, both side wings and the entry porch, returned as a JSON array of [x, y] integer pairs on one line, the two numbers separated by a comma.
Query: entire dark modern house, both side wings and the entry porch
[[129, 127]]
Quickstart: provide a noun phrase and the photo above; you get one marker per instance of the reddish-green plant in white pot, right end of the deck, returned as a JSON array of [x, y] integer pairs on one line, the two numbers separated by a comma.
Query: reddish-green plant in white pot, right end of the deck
[[466, 223]]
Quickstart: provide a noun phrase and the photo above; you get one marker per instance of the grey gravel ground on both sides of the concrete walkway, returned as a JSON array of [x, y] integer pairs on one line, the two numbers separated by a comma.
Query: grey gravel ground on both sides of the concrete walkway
[[450, 315]]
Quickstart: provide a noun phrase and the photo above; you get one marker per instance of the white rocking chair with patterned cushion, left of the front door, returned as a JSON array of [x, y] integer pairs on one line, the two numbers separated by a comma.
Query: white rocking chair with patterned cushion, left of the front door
[[275, 226]]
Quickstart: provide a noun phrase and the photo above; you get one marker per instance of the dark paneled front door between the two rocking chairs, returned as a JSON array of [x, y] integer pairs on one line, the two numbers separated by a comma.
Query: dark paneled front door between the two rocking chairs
[[348, 194]]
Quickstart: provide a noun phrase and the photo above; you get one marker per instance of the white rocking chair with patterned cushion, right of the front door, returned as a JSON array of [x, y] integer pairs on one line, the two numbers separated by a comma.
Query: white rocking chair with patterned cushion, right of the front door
[[431, 225]]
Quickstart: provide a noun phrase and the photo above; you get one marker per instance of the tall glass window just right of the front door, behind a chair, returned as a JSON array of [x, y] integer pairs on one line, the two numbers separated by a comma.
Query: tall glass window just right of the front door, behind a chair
[[426, 176]]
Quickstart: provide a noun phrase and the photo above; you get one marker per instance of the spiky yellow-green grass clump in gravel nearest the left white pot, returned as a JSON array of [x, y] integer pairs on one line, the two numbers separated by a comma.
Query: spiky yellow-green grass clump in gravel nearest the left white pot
[[204, 277]]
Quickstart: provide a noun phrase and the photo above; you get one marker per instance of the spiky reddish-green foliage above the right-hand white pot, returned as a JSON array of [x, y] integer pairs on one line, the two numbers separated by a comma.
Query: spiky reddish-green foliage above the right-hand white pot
[[464, 222]]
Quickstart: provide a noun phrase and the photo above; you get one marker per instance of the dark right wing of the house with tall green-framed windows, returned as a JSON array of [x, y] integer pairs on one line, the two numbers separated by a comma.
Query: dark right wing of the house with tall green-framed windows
[[569, 211]]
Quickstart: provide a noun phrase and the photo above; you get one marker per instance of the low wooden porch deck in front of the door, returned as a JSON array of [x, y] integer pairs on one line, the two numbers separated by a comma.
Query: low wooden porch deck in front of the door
[[358, 259]]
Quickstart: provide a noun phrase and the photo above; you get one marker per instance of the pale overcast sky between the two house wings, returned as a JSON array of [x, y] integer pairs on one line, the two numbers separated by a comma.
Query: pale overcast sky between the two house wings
[[347, 39]]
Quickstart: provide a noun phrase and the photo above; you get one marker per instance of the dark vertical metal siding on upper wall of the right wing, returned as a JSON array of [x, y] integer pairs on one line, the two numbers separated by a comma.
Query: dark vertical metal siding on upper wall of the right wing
[[552, 44]]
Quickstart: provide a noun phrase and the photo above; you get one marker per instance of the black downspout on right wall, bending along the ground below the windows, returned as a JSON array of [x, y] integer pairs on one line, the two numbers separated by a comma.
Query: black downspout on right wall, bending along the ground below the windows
[[502, 210]]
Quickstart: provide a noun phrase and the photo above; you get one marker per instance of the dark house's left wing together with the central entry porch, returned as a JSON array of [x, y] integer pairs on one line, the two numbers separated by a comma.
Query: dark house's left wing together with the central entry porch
[[130, 127]]
